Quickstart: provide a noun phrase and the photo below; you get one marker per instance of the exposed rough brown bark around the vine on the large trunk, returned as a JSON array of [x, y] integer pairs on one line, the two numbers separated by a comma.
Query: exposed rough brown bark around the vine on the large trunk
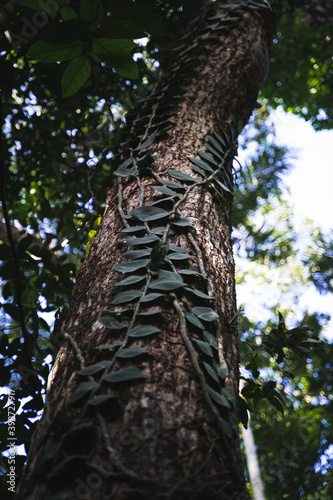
[[160, 441]]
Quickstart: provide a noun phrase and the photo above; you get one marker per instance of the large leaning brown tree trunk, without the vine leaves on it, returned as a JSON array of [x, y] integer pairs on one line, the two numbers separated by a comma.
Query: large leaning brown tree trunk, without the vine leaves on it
[[164, 436]]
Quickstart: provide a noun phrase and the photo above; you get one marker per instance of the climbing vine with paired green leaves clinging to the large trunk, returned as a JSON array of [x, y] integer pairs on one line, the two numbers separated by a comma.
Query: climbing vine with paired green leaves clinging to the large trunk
[[155, 269]]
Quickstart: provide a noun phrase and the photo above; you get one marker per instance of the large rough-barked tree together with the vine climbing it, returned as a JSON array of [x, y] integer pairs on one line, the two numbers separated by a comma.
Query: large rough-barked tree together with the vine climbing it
[[141, 401]]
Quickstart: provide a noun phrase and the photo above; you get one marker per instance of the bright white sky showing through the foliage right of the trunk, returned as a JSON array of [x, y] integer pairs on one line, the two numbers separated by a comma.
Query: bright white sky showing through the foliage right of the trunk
[[310, 183]]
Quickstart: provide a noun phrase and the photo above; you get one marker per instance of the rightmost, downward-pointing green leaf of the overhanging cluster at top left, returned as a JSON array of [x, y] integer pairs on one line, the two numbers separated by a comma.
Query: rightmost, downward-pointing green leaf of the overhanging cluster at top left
[[117, 54]]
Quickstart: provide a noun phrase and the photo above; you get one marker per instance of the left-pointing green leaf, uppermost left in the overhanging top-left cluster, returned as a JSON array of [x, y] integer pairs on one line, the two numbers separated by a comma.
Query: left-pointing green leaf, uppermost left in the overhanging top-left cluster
[[47, 52]]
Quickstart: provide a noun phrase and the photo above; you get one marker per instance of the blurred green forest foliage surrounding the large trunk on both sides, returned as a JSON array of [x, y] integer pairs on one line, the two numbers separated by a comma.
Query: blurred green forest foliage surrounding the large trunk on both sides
[[71, 81]]
